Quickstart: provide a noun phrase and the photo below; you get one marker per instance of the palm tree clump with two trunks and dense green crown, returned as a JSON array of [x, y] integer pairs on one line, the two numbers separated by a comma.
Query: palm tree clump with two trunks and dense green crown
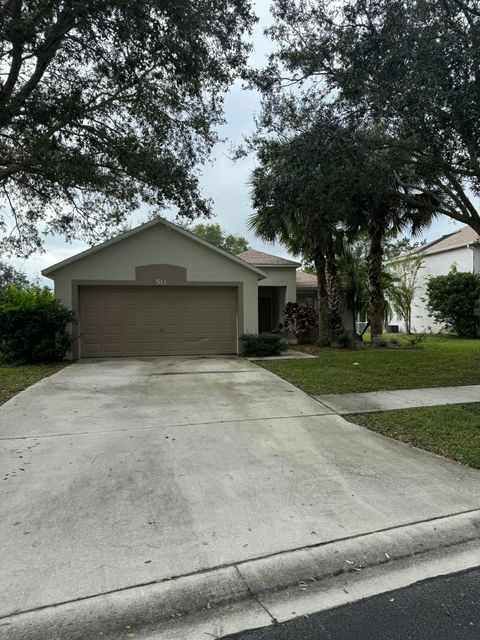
[[330, 180]]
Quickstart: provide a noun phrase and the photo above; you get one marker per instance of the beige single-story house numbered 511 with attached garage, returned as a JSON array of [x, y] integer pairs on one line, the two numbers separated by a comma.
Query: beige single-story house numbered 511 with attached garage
[[160, 290]]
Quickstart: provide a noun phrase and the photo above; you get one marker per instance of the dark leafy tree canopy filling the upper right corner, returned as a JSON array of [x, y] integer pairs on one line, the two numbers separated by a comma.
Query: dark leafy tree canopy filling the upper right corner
[[413, 67]]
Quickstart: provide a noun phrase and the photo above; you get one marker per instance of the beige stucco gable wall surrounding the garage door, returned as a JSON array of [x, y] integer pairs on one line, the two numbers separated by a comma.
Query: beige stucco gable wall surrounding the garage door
[[159, 243]]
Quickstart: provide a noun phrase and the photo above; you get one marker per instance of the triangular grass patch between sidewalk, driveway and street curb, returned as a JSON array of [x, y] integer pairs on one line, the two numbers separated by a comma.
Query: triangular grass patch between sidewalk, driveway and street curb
[[452, 431]]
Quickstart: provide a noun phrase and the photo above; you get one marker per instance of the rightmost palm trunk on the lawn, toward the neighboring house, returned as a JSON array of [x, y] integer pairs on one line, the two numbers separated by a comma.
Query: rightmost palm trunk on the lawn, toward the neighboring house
[[375, 260]]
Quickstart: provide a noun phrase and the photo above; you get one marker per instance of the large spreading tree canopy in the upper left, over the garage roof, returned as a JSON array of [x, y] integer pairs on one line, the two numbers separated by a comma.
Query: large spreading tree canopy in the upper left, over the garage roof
[[104, 104]]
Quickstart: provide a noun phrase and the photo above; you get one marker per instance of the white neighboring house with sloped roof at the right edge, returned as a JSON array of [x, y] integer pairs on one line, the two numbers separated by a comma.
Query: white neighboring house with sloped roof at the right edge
[[460, 248]]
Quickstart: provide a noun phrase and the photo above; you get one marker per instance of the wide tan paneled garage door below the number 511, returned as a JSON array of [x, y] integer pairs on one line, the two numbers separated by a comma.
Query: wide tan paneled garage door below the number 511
[[146, 321]]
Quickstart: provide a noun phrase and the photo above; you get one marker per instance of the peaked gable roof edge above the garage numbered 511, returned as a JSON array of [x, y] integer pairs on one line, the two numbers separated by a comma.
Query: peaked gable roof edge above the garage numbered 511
[[143, 227]]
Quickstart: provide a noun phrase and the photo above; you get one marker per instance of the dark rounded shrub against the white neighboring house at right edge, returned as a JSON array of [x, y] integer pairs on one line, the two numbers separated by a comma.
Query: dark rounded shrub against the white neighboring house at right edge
[[454, 301]]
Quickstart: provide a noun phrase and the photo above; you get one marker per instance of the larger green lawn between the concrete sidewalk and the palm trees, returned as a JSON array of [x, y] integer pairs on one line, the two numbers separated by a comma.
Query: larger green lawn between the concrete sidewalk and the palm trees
[[442, 361]]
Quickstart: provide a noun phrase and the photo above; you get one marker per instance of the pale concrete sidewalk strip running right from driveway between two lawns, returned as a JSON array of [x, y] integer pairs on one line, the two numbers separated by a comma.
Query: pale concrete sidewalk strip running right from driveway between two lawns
[[347, 403]]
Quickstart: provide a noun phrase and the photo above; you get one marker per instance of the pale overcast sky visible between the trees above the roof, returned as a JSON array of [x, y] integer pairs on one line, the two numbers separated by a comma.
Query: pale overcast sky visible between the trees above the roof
[[225, 181]]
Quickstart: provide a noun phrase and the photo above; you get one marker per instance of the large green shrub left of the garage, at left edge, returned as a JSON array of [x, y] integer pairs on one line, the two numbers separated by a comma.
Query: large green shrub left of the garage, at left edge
[[33, 325]]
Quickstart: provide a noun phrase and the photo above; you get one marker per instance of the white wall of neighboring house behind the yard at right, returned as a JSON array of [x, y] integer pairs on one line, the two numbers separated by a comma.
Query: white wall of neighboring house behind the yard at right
[[466, 258]]
